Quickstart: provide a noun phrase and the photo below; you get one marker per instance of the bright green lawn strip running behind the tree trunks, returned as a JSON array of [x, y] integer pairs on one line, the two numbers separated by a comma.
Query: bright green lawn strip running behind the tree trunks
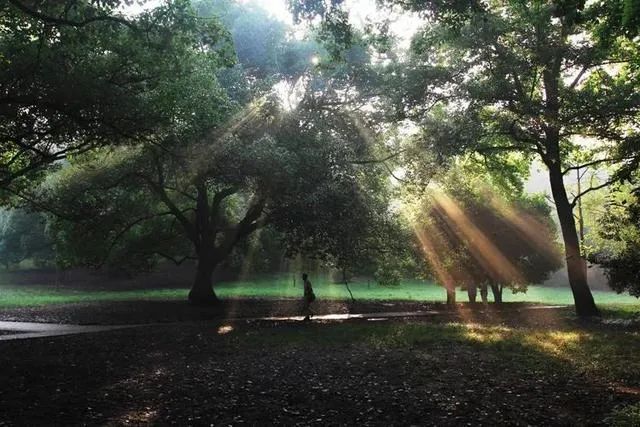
[[21, 296]]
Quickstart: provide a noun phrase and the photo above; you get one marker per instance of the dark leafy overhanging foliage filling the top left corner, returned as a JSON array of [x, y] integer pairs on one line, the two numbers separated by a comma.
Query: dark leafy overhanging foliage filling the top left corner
[[79, 74]]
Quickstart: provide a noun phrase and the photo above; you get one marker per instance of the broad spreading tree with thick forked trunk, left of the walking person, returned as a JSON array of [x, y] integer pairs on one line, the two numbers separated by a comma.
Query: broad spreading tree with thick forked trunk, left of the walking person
[[223, 162]]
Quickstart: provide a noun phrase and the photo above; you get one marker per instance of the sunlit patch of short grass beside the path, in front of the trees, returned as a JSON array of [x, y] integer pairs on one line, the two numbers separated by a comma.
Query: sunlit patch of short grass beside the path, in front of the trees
[[606, 354]]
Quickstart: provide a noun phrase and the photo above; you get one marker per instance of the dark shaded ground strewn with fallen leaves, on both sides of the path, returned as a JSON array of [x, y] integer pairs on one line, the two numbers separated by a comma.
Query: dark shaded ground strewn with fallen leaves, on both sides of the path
[[479, 365]]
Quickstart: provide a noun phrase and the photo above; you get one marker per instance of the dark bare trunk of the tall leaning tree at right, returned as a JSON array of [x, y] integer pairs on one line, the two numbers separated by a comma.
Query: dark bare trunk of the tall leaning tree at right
[[576, 268]]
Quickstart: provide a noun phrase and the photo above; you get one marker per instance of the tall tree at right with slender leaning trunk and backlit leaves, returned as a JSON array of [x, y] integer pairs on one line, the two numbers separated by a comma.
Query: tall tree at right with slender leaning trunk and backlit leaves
[[538, 79]]
